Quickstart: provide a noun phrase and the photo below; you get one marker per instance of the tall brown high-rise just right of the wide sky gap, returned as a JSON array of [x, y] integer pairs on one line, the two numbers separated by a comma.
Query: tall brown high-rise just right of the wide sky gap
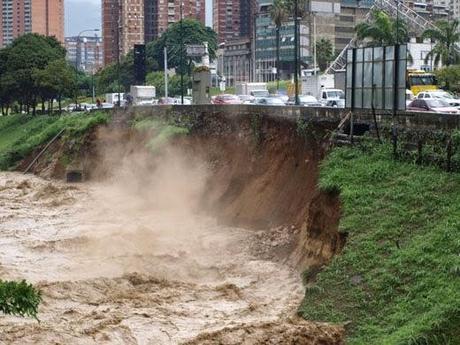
[[122, 27]]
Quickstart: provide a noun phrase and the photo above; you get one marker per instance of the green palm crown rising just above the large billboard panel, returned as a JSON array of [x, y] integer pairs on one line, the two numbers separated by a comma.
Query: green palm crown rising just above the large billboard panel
[[382, 30]]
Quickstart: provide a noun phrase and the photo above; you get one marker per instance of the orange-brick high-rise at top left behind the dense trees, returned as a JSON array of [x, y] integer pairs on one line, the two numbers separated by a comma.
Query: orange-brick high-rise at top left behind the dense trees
[[18, 17]]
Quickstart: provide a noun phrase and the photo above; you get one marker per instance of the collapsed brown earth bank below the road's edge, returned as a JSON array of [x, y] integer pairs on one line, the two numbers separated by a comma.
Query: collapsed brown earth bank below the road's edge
[[262, 172]]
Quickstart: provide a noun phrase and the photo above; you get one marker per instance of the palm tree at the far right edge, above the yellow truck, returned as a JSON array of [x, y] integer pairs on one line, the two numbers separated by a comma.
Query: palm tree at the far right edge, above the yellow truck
[[447, 37]]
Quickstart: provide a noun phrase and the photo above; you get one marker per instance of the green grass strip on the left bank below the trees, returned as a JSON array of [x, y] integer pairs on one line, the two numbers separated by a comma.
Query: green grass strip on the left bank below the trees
[[21, 134]]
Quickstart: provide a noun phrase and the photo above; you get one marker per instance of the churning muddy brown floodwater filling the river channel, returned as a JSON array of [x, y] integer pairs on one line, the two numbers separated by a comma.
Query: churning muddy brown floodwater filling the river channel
[[118, 268]]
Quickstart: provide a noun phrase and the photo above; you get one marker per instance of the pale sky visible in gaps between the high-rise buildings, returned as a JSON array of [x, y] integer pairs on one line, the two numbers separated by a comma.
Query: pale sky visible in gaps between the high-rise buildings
[[86, 14]]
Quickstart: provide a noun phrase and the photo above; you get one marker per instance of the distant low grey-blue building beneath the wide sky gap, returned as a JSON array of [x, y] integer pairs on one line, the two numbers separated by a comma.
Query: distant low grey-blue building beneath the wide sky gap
[[85, 52]]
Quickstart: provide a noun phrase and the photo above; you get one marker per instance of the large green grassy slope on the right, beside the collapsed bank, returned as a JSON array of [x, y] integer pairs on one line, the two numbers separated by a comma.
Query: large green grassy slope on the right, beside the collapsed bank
[[398, 279]]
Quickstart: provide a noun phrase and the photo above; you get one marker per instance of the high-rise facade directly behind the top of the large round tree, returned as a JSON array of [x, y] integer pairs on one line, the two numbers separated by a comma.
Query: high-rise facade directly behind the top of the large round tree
[[159, 14]]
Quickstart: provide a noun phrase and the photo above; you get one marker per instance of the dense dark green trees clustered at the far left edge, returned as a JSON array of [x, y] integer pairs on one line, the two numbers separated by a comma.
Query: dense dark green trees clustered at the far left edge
[[33, 72]]
